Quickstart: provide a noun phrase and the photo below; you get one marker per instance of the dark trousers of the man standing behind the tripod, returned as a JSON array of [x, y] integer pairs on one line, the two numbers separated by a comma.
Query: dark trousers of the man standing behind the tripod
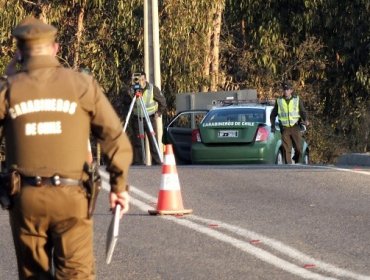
[[138, 156]]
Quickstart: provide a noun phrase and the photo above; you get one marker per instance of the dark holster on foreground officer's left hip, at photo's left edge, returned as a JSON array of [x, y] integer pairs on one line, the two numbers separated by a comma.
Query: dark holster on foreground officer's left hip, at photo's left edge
[[10, 185]]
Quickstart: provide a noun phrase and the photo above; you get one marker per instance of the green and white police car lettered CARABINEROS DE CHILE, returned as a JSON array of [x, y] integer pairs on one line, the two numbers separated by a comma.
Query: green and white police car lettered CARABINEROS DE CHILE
[[238, 134]]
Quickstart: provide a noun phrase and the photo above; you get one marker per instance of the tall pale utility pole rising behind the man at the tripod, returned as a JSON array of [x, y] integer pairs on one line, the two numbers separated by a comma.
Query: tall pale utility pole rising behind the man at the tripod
[[152, 56]]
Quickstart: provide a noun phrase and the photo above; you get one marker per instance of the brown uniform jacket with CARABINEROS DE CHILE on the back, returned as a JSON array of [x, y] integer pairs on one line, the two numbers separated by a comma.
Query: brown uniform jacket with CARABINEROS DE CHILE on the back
[[47, 112]]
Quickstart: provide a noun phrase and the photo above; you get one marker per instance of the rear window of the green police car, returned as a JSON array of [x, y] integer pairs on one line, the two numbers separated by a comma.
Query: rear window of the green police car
[[236, 115]]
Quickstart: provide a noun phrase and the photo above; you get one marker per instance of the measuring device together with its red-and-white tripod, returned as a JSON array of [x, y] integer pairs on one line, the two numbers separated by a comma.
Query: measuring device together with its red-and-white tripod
[[143, 114]]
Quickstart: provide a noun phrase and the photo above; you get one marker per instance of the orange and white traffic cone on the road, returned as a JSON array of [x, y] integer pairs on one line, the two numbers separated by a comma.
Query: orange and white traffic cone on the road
[[169, 197]]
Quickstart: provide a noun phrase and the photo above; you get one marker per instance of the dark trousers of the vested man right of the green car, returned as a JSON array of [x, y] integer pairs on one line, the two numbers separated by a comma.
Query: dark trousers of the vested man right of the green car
[[292, 137]]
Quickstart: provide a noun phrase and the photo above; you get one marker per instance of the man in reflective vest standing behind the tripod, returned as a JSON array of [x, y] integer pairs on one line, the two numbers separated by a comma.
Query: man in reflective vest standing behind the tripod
[[155, 105]]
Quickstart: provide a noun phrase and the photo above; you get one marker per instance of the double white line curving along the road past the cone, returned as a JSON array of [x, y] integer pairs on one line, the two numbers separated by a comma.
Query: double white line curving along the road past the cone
[[245, 246]]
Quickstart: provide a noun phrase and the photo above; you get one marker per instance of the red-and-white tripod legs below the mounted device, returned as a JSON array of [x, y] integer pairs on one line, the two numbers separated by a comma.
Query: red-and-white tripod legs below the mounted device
[[138, 96]]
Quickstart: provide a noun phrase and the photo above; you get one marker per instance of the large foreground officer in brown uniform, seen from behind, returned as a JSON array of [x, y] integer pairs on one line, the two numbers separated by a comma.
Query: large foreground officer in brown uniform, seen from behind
[[47, 112]]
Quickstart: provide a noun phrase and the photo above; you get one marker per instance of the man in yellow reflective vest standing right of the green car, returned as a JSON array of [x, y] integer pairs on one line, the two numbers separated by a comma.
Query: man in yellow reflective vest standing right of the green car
[[291, 113]]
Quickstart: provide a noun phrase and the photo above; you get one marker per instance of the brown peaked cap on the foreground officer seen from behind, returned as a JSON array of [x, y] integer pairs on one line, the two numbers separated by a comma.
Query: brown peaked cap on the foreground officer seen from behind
[[34, 32]]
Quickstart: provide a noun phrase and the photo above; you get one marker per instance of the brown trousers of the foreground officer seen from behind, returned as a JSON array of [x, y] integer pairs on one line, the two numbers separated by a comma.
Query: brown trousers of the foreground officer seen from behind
[[55, 217]]
